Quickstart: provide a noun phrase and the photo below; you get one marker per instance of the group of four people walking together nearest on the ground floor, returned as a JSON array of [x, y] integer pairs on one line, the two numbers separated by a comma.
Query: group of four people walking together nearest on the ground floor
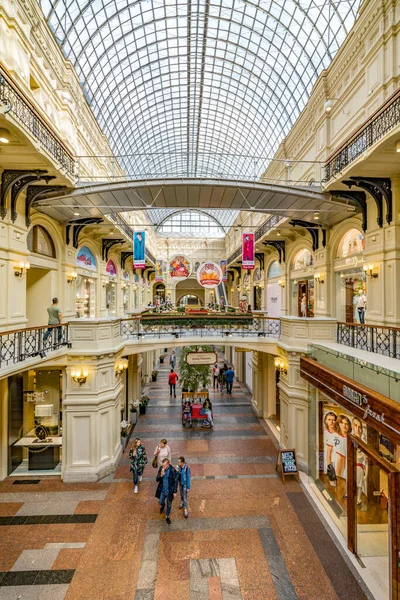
[[168, 478]]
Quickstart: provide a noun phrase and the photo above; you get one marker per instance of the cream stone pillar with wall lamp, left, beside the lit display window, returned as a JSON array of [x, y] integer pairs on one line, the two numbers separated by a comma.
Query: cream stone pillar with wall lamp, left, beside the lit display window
[[91, 420]]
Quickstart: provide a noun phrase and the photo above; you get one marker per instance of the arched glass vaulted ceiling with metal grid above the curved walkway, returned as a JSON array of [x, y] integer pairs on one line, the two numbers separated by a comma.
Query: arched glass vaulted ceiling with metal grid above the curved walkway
[[198, 87]]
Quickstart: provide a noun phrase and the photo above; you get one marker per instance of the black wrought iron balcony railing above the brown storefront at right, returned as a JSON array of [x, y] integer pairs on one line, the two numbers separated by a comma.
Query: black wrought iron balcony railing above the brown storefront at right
[[372, 338]]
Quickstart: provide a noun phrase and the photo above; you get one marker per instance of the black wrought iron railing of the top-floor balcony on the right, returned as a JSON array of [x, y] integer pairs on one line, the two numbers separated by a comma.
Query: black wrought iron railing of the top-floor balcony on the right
[[379, 124]]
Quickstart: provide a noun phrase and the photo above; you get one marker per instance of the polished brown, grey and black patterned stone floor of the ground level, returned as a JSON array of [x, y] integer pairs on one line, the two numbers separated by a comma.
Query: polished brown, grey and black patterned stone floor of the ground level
[[248, 536]]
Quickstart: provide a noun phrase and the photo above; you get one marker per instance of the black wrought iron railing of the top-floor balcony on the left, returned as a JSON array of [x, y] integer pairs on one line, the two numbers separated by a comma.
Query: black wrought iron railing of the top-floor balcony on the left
[[23, 112]]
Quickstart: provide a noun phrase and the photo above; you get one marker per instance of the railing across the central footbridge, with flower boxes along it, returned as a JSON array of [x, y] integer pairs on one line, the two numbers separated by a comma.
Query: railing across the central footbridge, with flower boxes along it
[[220, 327]]
